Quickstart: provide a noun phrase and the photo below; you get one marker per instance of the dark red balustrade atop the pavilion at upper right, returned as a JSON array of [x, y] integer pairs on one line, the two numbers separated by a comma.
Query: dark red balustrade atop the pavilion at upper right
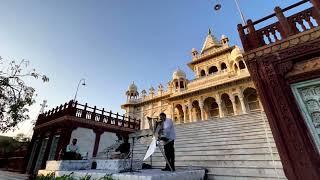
[[283, 28]]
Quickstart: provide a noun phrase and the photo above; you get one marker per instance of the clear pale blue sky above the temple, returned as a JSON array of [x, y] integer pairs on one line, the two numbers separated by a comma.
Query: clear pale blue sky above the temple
[[111, 43]]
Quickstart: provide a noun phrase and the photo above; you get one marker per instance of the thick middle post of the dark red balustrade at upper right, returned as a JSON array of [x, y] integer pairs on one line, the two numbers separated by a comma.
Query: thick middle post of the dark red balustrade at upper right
[[286, 29]]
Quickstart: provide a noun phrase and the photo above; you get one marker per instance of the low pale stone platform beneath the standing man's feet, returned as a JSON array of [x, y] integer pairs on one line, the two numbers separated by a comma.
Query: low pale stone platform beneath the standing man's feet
[[147, 174]]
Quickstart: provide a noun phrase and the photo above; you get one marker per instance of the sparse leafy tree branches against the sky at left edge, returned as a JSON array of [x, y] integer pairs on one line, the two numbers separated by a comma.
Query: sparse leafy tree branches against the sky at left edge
[[15, 94]]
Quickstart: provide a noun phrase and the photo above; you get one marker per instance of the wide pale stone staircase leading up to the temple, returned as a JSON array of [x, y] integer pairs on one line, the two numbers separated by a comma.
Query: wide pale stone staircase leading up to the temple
[[235, 147]]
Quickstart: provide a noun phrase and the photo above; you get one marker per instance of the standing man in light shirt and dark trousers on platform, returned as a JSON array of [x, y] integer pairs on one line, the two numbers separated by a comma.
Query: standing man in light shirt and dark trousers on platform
[[168, 135]]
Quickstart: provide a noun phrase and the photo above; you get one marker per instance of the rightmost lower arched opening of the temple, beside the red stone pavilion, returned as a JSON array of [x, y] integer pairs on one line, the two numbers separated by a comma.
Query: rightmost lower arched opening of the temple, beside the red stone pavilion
[[251, 99]]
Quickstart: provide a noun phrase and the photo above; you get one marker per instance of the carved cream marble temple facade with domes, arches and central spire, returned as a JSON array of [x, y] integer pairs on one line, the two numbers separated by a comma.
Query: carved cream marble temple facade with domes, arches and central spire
[[222, 87]]
